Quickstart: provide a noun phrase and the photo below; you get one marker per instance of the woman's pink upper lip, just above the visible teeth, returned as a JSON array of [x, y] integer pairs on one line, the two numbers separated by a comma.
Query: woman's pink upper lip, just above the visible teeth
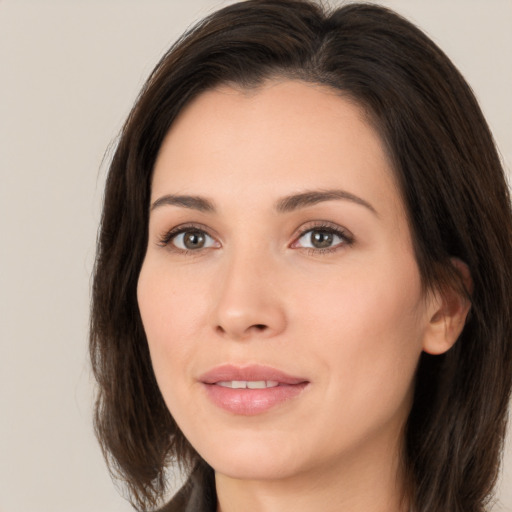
[[254, 372]]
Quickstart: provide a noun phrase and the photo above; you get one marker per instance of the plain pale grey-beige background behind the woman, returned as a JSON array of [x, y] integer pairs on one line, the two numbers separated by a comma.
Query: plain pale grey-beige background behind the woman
[[69, 73]]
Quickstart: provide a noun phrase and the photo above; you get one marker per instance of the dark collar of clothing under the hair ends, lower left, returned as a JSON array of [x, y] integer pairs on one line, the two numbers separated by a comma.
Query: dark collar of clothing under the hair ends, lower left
[[197, 495]]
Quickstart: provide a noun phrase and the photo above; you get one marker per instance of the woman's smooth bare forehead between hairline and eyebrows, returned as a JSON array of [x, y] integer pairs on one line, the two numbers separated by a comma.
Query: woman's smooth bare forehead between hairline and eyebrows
[[279, 138]]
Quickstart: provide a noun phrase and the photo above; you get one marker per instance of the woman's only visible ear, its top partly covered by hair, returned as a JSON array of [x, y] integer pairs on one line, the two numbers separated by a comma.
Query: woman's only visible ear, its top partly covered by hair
[[447, 312]]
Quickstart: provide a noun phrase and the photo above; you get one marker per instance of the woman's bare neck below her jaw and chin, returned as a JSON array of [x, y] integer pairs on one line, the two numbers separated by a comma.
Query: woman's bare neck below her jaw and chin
[[364, 482]]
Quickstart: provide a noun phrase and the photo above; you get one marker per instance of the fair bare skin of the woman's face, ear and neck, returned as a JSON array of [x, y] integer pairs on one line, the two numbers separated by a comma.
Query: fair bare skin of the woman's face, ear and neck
[[353, 320]]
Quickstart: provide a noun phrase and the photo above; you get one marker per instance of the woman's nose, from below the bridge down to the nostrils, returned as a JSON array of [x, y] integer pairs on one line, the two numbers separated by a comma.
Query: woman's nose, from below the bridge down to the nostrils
[[249, 303]]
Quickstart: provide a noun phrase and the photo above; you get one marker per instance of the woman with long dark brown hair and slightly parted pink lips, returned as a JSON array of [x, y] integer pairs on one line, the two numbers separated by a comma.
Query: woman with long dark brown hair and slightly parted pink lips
[[302, 288]]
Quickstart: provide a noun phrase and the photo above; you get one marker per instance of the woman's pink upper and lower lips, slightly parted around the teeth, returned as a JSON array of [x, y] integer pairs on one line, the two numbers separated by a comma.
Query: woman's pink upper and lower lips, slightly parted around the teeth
[[249, 402]]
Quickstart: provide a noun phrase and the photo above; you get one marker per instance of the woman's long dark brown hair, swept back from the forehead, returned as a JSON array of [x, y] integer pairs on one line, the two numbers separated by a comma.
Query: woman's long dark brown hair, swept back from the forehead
[[458, 205]]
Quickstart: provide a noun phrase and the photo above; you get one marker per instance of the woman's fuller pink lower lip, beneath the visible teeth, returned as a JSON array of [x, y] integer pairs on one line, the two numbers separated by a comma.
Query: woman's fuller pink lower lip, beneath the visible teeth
[[249, 402]]
